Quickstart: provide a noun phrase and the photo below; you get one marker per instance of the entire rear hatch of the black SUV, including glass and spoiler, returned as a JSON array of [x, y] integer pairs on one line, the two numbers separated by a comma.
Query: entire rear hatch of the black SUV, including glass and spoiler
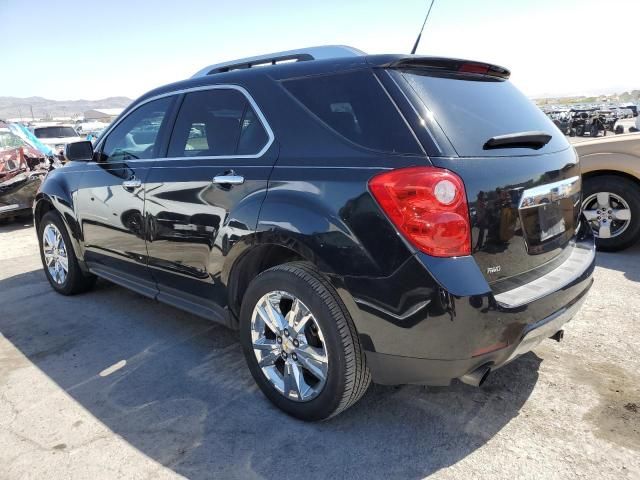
[[521, 175]]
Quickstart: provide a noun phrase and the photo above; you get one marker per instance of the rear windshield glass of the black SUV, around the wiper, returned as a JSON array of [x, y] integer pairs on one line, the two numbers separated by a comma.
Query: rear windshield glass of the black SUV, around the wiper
[[471, 110]]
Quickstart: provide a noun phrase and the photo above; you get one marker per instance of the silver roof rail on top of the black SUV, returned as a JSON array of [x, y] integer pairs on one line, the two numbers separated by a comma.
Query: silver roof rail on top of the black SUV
[[304, 54]]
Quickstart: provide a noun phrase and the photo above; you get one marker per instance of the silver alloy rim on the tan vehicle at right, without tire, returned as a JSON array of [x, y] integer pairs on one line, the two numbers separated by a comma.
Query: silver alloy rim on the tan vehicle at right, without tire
[[608, 214]]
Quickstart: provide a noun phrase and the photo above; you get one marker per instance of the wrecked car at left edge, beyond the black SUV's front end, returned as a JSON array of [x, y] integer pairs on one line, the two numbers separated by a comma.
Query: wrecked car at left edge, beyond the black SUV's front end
[[22, 169]]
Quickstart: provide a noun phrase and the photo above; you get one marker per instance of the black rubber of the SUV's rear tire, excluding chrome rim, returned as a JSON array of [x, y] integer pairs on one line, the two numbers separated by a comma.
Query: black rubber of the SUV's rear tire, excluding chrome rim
[[347, 377]]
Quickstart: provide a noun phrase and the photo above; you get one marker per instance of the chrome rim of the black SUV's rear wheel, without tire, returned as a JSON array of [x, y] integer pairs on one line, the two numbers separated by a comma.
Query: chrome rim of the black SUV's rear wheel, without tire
[[289, 346]]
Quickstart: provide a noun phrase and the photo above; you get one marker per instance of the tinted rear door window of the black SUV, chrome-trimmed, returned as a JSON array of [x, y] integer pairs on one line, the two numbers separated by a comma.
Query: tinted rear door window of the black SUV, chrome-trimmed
[[214, 123]]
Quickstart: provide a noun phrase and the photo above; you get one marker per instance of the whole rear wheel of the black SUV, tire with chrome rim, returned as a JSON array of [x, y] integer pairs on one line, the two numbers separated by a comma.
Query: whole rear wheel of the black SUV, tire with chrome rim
[[346, 376]]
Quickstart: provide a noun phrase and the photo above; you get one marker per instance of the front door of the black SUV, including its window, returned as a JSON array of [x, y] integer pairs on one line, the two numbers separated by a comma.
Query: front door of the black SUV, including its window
[[110, 199]]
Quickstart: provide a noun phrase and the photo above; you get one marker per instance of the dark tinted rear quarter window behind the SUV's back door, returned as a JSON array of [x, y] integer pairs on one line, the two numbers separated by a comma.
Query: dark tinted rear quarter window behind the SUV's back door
[[355, 106]]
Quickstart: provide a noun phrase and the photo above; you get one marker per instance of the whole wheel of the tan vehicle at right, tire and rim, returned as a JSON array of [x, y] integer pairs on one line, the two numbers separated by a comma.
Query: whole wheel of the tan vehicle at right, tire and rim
[[611, 205]]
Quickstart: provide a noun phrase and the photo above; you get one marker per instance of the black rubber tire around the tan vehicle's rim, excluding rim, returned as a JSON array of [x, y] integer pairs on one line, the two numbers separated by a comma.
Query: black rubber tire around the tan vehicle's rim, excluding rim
[[630, 192]]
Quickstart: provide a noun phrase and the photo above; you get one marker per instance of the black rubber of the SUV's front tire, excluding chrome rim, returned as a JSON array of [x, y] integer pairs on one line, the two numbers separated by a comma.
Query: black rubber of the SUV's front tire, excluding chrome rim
[[76, 280]]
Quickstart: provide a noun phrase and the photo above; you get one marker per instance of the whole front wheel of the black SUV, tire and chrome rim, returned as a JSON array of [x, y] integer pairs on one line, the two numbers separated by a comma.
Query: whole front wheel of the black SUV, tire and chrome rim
[[68, 282]]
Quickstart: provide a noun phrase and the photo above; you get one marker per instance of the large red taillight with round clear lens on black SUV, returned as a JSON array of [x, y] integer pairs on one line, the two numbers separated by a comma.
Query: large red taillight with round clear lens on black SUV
[[429, 206]]
